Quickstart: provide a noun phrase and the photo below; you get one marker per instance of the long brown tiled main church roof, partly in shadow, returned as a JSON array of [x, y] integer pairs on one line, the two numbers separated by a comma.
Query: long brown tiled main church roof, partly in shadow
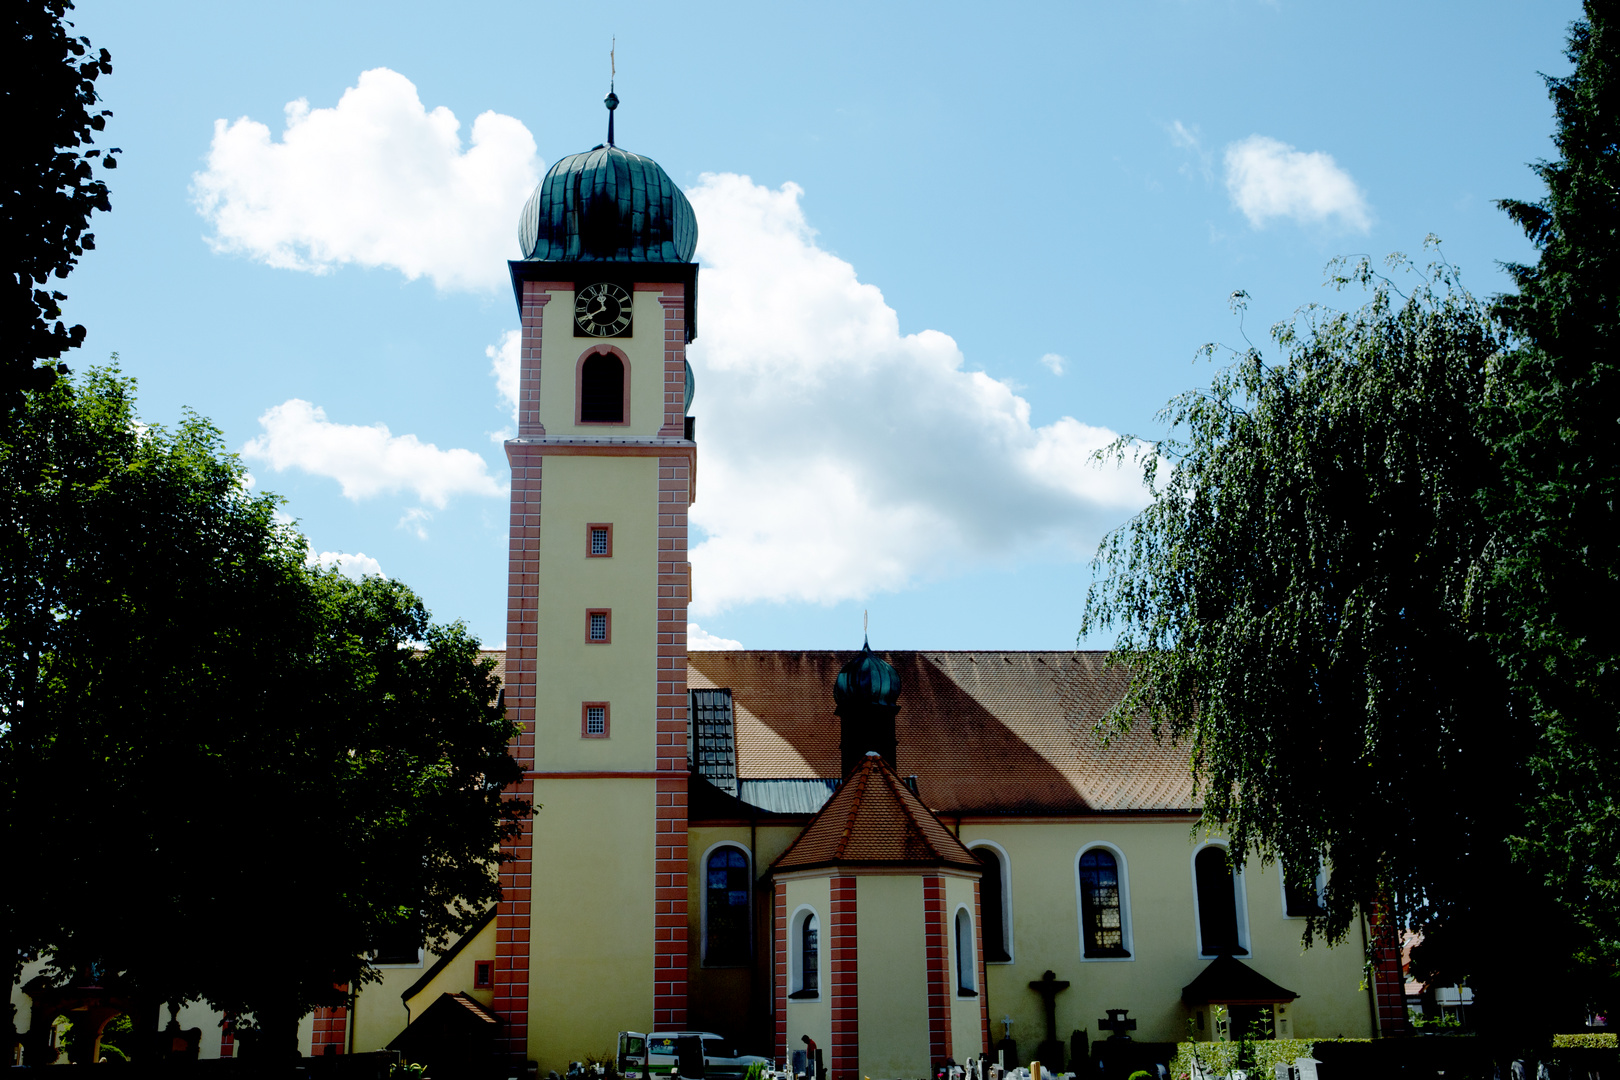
[[984, 731]]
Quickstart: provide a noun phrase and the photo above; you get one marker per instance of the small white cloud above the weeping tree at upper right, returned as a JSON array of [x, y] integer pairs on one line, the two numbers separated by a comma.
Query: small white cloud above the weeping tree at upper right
[[1269, 179]]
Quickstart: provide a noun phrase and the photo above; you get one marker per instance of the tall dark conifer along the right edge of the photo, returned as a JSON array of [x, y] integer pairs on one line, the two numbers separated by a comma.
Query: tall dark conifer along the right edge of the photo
[[1553, 422]]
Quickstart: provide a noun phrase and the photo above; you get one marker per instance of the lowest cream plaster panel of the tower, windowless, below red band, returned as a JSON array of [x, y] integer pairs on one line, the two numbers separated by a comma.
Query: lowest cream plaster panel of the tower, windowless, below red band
[[592, 921]]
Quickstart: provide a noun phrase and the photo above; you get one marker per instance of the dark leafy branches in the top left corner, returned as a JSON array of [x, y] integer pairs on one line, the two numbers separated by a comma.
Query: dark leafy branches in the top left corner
[[49, 187]]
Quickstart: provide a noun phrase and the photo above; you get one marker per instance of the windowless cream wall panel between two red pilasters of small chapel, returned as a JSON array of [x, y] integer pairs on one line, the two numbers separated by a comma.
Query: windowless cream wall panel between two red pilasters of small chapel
[[892, 976]]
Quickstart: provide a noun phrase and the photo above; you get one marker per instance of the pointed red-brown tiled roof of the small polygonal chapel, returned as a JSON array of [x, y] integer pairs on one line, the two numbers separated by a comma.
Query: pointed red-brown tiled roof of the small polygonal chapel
[[876, 820]]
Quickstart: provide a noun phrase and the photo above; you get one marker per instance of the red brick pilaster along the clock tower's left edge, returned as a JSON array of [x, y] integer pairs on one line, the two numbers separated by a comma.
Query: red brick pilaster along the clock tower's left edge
[[513, 925]]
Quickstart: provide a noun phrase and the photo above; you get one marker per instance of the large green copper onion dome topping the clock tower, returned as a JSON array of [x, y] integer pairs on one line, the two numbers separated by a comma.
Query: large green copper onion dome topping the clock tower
[[608, 206]]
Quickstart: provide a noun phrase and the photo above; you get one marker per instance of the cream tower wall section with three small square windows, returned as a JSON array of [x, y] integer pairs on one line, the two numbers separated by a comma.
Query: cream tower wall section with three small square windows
[[578, 491]]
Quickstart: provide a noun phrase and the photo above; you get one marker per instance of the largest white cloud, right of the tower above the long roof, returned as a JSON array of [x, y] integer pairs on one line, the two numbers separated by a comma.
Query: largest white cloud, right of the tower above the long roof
[[842, 457]]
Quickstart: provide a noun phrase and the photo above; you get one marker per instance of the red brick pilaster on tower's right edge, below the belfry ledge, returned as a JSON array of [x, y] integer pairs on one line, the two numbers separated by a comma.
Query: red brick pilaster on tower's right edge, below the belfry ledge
[[675, 574]]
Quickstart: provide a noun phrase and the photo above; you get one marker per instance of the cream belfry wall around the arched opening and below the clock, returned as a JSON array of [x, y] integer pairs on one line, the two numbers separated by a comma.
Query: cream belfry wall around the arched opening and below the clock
[[561, 354]]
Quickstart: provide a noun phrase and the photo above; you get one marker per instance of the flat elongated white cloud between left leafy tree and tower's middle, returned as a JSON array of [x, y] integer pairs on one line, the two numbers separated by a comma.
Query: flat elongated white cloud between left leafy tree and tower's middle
[[367, 461]]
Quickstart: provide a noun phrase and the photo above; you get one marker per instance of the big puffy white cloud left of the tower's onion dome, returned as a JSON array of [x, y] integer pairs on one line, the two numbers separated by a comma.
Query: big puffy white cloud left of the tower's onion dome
[[377, 181]]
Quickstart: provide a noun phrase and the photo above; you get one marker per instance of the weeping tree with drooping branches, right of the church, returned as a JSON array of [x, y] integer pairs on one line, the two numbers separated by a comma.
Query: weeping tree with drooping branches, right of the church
[[1302, 603]]
